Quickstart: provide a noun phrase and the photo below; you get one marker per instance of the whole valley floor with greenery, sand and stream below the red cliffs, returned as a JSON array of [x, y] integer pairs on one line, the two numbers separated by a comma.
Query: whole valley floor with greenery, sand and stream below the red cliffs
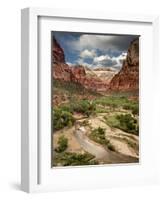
[[91, 128]]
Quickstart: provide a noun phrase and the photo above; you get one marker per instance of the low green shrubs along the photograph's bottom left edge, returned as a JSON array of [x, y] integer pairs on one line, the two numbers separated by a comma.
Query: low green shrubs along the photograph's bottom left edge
[[73, 159]]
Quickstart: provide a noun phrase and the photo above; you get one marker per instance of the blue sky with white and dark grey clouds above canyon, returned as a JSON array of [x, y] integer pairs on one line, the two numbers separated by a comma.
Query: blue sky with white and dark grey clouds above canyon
[[94, 50]]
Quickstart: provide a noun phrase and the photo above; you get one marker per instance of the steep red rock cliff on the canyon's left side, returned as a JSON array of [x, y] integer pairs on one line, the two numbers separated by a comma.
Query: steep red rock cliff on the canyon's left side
[[77, 74]]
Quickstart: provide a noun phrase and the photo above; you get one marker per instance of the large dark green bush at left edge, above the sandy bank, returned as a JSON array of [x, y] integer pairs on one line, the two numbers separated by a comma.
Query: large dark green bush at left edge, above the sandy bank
[[62, 119]]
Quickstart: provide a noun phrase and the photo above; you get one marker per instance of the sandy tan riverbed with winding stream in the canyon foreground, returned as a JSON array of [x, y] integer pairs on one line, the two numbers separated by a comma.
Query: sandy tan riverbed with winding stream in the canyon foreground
[[124, 146]]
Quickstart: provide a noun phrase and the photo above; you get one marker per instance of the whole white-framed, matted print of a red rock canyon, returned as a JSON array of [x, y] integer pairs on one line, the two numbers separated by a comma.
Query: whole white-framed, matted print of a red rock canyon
[[86, 96]]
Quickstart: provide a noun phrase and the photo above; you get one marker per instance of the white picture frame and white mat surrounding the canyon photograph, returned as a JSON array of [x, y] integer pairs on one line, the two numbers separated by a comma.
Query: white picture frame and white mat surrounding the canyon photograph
[[36, 171]]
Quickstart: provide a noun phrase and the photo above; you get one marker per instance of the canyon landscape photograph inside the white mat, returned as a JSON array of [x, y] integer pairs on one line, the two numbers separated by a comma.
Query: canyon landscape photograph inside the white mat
[[94, 99]]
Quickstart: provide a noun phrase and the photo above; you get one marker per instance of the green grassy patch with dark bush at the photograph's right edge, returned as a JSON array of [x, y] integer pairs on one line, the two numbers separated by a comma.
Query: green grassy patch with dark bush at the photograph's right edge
[[125, 122]]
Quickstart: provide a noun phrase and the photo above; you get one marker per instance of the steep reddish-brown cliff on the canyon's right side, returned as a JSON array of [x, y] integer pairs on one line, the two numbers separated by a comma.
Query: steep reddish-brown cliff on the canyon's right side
[[128, 77]]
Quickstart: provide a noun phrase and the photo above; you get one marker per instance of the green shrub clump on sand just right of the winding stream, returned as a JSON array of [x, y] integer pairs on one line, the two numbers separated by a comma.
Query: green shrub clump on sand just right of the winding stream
[[98, 135]]
